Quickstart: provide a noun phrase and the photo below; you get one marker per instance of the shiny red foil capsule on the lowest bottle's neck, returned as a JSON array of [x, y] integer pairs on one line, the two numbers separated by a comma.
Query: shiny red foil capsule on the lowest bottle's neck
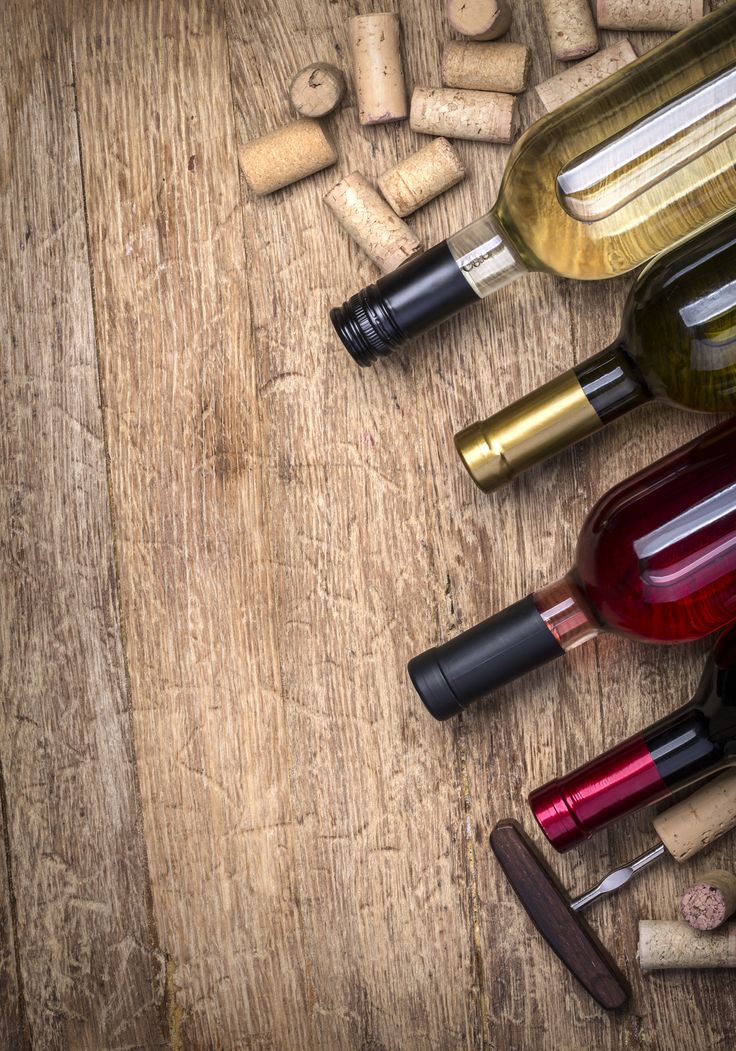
[[570, 810]]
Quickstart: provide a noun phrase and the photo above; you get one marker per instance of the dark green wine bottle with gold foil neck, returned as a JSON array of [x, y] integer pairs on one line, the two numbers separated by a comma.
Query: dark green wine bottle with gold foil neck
[[678, 343]]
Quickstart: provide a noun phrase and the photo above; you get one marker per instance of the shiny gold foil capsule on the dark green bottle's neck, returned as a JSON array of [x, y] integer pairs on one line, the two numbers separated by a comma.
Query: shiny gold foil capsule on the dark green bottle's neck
[[531, 430]]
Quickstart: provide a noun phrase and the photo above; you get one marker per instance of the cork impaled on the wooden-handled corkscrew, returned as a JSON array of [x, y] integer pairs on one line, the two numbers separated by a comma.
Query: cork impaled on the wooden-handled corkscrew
[[701, 819]]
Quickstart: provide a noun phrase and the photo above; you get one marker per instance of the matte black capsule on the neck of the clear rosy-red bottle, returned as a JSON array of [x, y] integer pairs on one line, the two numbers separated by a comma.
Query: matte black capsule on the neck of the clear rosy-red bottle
[[517, 641]]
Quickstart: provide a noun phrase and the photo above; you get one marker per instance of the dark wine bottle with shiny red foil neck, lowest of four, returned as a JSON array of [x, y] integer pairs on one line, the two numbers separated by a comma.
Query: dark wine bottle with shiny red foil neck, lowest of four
[[694, 743]]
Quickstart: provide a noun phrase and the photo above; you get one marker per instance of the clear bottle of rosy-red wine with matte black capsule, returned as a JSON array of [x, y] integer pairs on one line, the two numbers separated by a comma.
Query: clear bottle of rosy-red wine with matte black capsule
[[656, 562]]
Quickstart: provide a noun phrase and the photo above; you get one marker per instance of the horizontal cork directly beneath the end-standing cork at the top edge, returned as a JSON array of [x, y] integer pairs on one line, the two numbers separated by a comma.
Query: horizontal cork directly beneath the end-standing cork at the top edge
[[486, 68]]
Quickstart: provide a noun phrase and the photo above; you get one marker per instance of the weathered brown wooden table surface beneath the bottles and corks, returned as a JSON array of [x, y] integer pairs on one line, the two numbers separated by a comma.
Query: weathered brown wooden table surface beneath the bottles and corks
[[228, 821]]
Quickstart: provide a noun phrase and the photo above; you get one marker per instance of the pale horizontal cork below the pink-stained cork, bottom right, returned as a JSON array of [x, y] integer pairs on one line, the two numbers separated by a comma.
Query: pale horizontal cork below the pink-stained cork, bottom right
[[667, 944]]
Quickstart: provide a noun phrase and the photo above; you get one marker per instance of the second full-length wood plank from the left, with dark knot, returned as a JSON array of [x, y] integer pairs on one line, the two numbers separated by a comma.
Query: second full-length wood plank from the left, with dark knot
[[180, 391]]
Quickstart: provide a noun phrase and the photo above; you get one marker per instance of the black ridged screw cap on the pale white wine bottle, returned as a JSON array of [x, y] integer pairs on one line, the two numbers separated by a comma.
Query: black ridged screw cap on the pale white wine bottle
[[403, 304]]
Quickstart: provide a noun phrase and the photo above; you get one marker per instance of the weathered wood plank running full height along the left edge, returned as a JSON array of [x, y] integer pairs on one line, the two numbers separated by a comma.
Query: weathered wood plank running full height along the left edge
[[90, 971]]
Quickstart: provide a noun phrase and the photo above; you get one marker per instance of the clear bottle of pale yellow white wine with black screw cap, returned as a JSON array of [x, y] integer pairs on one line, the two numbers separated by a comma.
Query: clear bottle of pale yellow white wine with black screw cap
[[595, 190]]
